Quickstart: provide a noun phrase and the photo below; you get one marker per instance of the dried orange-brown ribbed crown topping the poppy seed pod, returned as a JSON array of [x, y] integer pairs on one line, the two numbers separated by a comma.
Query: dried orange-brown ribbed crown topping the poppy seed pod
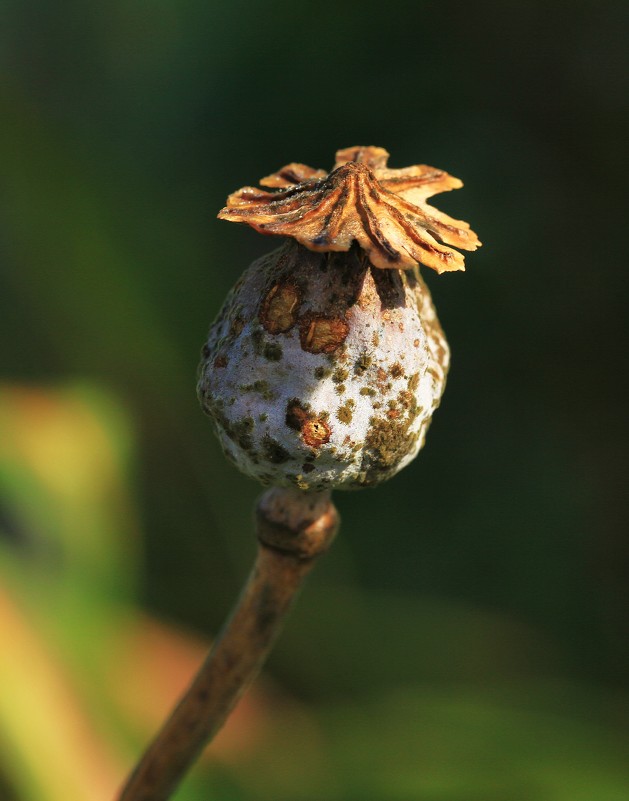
[[363, 201]]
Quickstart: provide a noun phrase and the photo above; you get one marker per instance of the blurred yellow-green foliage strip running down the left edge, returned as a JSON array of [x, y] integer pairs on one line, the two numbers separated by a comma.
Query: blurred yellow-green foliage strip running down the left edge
[[68, 550]]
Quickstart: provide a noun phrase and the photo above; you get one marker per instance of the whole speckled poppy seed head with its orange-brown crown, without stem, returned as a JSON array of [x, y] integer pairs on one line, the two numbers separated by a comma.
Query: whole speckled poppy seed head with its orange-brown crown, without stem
[[327, 361]]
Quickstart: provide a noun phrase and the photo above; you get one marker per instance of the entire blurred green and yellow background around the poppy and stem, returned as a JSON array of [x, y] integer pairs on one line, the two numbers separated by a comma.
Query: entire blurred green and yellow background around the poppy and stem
[[467, 637]]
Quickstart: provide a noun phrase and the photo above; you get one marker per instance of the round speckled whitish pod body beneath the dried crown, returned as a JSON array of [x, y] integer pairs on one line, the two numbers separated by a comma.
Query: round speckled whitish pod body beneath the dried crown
[[323, 371]]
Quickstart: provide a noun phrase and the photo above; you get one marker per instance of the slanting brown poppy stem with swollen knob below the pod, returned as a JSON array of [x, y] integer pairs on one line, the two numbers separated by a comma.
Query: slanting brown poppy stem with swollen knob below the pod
[[293, 528]]
